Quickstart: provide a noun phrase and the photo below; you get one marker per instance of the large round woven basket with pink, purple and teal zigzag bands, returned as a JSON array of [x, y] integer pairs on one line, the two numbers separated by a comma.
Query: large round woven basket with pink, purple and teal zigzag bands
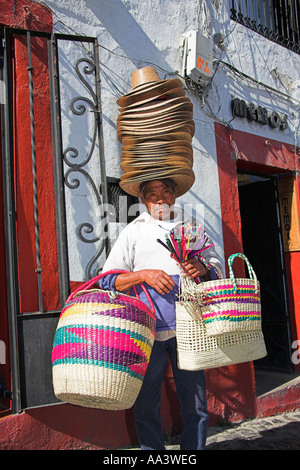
[[102, 347]]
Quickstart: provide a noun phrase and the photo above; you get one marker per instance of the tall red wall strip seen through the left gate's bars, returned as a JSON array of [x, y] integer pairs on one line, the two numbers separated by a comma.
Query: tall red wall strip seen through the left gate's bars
[[23, 183]]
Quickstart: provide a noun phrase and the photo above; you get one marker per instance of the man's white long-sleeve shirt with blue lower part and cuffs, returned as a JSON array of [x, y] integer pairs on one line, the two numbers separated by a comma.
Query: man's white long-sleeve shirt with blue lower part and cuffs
[[137, 248]]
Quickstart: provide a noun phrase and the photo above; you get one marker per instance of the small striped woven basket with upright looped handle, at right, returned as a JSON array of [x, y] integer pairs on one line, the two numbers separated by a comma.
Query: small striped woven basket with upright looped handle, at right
[[229, 305]]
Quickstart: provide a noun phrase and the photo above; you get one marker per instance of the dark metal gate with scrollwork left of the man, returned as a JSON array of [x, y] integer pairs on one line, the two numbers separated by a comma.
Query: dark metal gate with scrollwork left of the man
[[80, 189]]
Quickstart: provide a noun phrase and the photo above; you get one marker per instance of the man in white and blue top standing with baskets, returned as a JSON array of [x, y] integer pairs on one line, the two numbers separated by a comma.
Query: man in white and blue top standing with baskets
[[146, 261]]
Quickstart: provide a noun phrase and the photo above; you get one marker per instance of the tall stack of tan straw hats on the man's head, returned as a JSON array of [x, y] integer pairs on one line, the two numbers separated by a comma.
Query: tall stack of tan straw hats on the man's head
[[155, 127]]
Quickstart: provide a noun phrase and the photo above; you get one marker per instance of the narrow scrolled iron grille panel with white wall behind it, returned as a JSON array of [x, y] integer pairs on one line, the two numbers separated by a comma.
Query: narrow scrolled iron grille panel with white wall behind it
[[82, 171]]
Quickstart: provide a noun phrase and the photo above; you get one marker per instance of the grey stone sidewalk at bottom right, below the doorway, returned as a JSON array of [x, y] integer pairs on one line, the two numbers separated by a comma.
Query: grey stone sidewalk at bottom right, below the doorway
[[280, 432]]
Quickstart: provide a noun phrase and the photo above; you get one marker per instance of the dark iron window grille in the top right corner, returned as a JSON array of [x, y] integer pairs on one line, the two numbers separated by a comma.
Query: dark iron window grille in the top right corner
[[276, 20]]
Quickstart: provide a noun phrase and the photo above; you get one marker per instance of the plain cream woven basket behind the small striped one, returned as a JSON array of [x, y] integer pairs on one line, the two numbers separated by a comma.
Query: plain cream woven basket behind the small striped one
[[196, 350]]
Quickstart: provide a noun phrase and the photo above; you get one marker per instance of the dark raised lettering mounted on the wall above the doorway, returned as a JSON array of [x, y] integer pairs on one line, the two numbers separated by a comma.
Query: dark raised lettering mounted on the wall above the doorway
[[261, 115]]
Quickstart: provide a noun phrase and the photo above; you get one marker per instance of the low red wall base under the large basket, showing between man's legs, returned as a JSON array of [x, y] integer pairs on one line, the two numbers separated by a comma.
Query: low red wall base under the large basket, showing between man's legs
[[68, 427]]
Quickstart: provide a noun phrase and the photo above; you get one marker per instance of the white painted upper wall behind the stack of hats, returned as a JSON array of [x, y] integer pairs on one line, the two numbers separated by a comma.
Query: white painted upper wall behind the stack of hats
[[136, 33]]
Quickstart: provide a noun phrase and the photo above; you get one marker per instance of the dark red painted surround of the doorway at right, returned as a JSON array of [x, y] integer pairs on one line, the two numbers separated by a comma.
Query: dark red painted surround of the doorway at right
[[238, 150]]
